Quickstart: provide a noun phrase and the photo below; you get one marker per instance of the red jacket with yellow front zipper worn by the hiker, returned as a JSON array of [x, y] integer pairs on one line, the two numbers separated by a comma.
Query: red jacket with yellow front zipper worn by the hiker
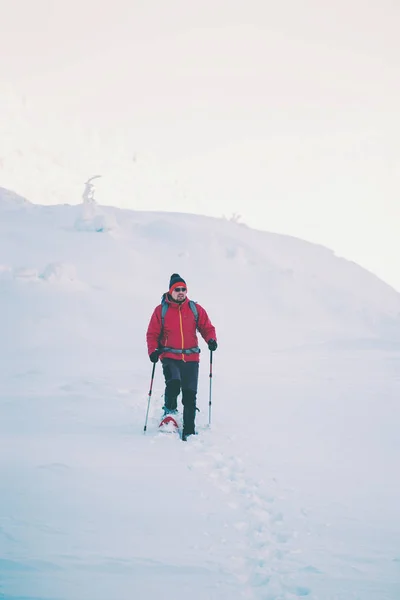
[[179, 330]]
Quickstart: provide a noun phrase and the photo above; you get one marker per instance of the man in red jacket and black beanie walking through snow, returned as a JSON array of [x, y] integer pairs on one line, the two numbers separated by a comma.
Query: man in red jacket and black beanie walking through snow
[[171, 336]]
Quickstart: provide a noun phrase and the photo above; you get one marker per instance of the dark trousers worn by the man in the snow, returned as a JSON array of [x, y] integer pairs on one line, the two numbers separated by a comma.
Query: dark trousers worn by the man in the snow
[[180, 375]]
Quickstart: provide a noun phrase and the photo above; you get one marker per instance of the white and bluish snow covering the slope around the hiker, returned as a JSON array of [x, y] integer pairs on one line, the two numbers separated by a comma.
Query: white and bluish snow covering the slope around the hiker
[[294, 490]]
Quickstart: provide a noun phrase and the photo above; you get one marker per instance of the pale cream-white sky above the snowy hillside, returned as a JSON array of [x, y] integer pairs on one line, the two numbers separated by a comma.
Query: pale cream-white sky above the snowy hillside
[[286, 113]]
